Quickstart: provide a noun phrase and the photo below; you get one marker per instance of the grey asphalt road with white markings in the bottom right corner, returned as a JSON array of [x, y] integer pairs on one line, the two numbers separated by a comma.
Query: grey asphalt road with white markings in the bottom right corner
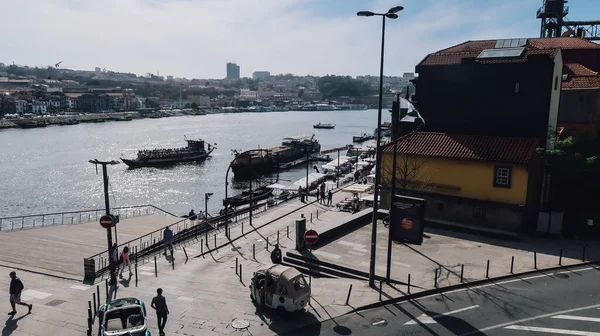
[[559, 303]]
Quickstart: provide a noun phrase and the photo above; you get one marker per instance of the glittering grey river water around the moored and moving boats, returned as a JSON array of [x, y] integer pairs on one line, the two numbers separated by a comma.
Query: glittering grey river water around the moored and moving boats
[[46, 170]]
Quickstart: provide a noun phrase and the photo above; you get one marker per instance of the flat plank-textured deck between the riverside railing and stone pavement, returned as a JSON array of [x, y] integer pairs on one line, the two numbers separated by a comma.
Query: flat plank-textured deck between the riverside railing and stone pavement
[[60, 249]]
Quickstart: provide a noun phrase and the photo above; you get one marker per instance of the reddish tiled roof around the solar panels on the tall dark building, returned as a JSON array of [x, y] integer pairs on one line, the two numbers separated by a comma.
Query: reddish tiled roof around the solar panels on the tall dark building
[[535, 46]]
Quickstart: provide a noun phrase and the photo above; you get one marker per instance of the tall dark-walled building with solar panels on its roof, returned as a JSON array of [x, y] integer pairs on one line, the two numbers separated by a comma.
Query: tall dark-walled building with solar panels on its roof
[[497, 87]]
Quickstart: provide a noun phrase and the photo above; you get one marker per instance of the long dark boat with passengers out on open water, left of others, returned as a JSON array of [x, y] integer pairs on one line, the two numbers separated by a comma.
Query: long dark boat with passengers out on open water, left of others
[[196, 150]]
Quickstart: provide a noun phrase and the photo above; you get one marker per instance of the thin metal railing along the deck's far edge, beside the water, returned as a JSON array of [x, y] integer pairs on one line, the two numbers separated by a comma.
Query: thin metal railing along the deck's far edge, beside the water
[[75, 217]]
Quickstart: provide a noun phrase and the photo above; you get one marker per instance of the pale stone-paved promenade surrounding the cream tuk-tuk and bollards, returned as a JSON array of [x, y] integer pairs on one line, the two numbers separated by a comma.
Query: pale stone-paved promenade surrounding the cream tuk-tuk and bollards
[[205, 294]]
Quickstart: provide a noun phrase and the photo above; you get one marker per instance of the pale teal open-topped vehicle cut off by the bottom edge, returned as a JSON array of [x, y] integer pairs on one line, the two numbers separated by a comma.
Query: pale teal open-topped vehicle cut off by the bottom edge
[[126, 316]]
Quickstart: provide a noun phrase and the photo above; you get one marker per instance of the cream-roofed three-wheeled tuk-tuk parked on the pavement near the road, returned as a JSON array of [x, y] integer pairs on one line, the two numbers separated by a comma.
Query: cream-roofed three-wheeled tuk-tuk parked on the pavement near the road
[[279, 287]]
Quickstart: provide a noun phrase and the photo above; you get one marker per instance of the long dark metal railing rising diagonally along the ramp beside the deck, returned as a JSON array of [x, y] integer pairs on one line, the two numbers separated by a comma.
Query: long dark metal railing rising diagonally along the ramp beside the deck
[[142, 248]]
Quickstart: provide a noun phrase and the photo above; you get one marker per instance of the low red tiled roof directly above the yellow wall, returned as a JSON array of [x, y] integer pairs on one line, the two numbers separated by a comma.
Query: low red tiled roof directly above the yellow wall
[[466, 147]]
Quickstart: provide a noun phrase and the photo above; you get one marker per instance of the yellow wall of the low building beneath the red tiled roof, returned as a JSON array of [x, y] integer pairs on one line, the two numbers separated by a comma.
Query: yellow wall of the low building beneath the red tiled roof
[[469, 179]]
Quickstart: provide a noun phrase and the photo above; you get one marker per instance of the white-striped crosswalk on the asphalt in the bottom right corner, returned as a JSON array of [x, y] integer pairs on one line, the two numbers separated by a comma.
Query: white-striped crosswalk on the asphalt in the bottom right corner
[[583, 323]]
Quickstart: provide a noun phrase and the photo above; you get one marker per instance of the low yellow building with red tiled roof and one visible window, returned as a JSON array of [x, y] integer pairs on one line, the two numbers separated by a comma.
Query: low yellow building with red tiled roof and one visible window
[[467, 180]]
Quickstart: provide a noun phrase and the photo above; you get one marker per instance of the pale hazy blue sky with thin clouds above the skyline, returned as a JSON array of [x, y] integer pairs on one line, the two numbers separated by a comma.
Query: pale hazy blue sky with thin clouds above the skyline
[[196, 38]]
